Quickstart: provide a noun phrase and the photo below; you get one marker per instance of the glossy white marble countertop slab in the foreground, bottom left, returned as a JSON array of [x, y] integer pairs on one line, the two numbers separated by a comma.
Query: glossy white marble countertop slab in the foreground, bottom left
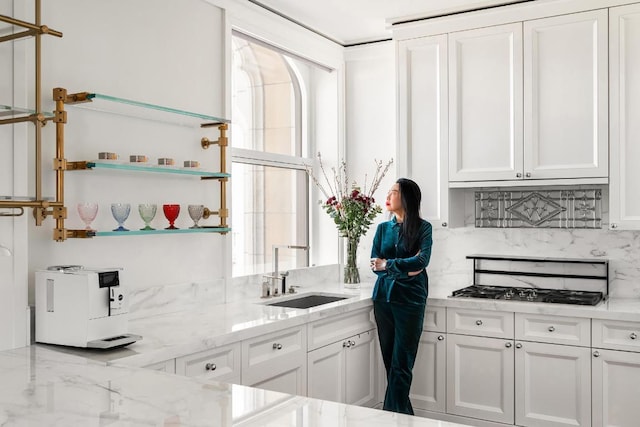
[[44, 387]]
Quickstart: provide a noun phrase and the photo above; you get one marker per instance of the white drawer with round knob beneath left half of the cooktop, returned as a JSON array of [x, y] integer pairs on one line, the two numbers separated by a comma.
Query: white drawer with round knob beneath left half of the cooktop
[[498, 324]]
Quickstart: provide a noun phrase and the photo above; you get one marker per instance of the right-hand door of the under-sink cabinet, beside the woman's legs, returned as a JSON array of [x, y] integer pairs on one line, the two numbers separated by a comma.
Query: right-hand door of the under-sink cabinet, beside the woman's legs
[[361, 368]]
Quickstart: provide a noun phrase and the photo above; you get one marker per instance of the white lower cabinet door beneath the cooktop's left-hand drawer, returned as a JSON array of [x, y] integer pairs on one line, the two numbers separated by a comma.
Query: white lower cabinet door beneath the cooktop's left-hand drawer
[[480, 378]]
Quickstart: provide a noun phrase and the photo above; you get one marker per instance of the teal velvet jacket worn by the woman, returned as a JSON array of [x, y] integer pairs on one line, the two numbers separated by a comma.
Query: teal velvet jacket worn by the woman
[[394, 284]]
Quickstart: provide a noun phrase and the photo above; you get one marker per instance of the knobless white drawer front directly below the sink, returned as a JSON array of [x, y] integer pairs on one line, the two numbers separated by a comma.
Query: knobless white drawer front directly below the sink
[[336, 328]]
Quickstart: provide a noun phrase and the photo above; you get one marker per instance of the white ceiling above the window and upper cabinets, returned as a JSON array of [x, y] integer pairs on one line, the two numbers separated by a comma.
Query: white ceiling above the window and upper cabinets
[[350, 22]]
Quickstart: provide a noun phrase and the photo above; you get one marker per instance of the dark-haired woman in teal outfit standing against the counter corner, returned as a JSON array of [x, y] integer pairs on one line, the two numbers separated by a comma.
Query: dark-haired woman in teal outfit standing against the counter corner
[[400, 253]]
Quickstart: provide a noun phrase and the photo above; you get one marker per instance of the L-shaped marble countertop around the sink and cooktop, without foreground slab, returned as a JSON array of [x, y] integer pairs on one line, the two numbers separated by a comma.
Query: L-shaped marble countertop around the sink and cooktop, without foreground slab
[[172, 335]]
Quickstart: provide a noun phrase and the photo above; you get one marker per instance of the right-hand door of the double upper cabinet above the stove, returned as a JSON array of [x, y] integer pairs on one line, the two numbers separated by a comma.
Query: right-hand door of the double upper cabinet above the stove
[[565, 96]]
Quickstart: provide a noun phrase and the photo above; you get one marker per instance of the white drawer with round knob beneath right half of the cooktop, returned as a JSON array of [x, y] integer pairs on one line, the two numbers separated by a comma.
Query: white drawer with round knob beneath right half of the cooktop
[[553, 329]]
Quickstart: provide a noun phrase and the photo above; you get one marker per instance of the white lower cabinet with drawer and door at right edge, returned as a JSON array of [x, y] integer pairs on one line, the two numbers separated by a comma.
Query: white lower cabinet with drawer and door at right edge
[[615, 373]]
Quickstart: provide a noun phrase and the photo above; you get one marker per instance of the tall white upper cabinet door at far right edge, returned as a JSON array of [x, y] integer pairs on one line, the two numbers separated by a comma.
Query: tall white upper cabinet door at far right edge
[[624, 60]]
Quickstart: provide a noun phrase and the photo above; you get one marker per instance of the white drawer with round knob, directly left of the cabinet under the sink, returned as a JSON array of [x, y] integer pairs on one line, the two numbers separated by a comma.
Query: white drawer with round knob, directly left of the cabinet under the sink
[[272, 354]]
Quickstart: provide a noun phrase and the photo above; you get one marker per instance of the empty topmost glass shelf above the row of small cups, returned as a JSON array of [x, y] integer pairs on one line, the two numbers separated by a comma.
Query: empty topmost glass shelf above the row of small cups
[[142, 110]]
